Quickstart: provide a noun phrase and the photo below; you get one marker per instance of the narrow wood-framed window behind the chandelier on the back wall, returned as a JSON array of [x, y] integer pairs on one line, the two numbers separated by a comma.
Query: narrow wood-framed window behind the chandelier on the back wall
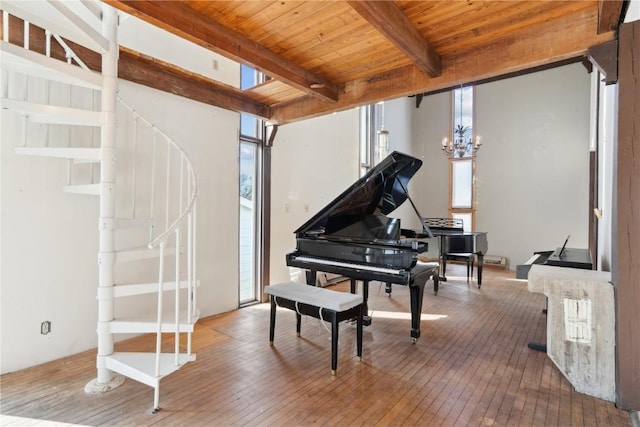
[[462, 165]]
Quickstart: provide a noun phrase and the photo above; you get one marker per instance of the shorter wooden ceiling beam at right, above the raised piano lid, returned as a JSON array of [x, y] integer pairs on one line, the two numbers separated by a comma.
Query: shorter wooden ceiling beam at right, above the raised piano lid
[[387, 18]]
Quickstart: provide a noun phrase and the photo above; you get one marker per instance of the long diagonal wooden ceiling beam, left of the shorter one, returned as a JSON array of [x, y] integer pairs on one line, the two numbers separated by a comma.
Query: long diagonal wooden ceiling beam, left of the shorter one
[[175, 17]]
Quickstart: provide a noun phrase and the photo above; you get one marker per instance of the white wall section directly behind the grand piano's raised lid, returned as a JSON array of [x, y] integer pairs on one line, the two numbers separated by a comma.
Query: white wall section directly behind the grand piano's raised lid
[[313, 161]]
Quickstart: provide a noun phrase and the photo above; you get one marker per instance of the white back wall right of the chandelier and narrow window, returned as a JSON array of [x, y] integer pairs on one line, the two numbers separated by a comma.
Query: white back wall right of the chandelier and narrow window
[[533, 169]]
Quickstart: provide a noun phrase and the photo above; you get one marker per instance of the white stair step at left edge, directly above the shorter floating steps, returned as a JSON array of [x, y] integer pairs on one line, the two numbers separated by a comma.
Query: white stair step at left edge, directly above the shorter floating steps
[[53, 114]]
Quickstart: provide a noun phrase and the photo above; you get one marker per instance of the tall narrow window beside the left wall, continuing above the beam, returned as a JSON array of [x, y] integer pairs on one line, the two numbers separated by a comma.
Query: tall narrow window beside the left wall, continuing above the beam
[[251, 136]]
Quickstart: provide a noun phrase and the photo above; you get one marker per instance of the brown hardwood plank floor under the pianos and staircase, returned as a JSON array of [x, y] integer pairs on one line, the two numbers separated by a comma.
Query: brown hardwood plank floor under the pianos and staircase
[[471, 366]]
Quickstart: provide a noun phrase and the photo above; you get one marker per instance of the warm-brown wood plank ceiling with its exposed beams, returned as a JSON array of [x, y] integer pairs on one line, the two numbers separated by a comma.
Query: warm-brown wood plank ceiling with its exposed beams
[[326, 56]]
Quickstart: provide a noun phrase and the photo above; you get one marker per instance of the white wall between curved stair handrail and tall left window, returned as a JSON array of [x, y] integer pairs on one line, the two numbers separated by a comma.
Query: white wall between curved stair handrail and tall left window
[[209, 136]]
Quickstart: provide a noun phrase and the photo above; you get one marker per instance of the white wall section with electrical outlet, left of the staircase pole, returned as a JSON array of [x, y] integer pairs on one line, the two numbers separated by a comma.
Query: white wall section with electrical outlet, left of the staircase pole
[[49, 258]]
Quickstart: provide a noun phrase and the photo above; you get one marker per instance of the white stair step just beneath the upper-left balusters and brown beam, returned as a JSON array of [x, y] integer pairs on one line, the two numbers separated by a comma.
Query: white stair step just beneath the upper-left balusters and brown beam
[[18, 59]]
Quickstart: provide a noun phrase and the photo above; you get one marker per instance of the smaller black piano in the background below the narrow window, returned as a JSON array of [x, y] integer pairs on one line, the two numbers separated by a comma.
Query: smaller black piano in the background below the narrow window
[[454, 240]]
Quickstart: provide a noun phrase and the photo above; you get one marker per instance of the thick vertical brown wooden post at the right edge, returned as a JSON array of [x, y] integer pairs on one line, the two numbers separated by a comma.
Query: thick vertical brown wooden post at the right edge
[[626, 220]]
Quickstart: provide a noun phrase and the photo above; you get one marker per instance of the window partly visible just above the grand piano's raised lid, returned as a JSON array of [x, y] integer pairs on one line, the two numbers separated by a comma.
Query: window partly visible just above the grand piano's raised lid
[[374, 138]]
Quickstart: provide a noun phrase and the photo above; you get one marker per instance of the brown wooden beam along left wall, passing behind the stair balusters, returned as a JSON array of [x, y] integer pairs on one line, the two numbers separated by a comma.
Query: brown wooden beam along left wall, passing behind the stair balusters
[[136, 67]]
